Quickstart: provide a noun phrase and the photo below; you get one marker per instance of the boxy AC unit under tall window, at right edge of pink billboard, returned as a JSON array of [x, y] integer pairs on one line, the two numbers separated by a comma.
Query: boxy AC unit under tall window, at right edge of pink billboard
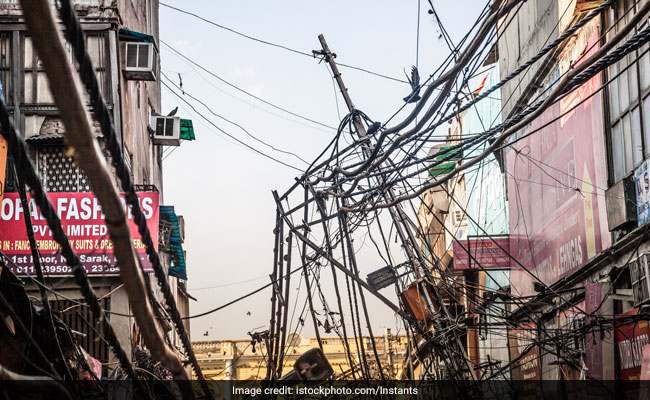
[[620, 201]]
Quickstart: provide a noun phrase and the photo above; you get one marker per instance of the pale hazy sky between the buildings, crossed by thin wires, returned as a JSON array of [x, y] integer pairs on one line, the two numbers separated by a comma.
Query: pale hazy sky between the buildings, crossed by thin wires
[[224, 190]]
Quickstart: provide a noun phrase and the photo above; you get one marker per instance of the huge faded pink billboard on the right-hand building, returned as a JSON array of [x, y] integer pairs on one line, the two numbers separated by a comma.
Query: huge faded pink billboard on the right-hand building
[[557, 212]]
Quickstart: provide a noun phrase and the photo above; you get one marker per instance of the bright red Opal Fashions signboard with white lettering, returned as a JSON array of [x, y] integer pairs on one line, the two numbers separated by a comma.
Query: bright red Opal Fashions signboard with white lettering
[[83, 221]]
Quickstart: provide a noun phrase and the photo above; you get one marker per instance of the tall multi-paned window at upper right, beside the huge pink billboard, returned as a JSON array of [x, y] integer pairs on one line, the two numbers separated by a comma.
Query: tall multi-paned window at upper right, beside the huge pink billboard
[[629, 103]]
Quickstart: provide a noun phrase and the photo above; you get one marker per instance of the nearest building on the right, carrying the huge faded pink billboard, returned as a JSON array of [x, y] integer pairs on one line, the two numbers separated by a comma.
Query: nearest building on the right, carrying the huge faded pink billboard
[[574, 227]]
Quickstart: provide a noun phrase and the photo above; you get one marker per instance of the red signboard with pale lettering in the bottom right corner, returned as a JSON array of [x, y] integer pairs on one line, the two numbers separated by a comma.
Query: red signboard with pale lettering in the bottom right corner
[[631, 338]]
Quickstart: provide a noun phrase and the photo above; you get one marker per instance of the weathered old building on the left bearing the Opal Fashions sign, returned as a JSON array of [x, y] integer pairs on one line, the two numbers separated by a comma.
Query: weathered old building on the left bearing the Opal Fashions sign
[[121, 37]]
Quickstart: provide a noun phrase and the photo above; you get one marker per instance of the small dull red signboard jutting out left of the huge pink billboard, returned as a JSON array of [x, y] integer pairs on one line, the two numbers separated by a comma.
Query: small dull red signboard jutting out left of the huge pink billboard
[[482, 253]]
